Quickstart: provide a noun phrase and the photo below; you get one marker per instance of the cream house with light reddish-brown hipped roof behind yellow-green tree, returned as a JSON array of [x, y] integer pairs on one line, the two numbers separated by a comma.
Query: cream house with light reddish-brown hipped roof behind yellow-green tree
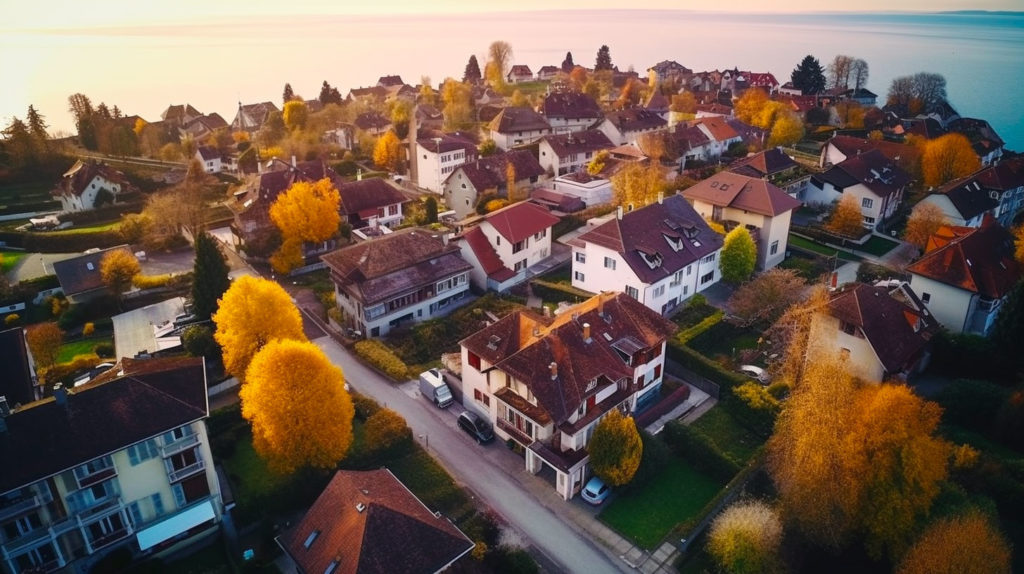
[[733, 200]]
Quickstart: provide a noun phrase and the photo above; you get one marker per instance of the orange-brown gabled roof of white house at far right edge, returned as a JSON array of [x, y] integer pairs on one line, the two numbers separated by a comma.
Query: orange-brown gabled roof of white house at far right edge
[[978, 260]]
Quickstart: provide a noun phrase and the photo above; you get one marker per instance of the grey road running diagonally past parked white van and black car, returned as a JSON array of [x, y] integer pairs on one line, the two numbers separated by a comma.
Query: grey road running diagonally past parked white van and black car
[[479, 468]]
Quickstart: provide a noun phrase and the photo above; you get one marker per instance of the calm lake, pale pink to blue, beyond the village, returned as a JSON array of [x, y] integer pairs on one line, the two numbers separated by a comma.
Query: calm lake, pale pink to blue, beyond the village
[[217, 64]]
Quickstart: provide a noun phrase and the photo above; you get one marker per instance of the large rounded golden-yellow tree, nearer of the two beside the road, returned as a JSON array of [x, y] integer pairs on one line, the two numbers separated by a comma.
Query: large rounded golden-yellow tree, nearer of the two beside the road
[[300, 417]]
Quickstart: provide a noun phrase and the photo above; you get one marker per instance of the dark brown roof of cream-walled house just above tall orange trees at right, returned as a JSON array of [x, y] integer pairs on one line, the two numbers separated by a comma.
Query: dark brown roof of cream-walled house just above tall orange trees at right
[[898, 331]]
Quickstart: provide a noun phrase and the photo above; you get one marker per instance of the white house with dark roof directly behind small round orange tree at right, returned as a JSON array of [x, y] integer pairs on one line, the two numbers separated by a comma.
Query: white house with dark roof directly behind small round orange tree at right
[[877, 183]]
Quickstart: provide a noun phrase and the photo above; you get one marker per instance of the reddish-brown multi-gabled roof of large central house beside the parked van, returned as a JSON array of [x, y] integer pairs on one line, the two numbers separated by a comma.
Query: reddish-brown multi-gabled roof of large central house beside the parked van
[[525, 345]]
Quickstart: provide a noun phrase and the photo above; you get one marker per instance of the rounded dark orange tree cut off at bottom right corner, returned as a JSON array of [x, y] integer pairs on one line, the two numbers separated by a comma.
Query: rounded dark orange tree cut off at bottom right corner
[[964, 545]]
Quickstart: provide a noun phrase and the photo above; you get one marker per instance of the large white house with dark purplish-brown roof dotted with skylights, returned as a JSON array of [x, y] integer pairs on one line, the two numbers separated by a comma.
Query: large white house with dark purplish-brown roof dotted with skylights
[[661, 255]]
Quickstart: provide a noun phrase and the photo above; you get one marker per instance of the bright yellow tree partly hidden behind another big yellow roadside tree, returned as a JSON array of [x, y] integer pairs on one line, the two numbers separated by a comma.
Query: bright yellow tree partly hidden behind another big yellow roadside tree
[[253, 313]]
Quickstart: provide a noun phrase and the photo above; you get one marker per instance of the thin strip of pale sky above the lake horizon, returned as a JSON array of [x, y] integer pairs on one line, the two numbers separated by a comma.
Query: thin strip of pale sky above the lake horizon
[[20, 15]]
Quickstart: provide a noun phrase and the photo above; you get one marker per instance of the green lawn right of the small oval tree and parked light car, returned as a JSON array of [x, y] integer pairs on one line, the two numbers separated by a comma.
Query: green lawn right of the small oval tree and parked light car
[[649, 514]]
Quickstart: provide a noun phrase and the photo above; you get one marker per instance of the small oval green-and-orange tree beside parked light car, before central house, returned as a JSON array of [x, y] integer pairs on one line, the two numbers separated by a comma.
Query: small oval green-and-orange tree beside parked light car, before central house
[[616, 449]]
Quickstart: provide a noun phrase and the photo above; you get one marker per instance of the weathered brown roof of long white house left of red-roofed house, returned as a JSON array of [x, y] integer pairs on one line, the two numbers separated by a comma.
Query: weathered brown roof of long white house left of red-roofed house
[[397, 263]]
